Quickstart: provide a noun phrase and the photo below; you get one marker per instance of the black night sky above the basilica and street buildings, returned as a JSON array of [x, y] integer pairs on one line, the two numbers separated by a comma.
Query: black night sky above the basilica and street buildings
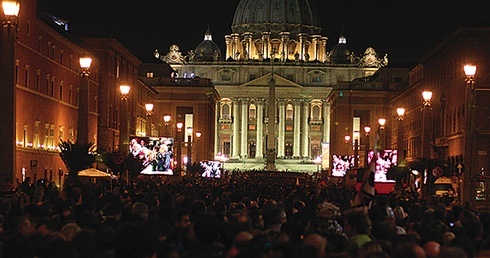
[[405, 30]]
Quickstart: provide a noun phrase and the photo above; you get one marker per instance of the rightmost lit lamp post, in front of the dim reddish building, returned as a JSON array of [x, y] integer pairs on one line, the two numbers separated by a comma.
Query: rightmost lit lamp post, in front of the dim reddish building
[[468, 192]]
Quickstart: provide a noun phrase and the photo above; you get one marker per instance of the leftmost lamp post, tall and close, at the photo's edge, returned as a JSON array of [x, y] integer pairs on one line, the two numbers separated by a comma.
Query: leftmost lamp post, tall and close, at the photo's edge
[[8, 82]]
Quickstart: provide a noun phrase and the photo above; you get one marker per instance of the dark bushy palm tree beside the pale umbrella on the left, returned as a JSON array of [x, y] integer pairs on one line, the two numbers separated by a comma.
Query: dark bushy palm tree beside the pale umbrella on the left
[[76, 157]]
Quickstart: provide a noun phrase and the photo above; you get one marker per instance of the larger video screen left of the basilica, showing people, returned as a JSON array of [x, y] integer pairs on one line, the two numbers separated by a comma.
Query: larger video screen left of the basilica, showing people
[[154, 153]]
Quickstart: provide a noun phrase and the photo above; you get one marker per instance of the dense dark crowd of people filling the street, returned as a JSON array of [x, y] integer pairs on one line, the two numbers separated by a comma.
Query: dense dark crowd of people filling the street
[[245, 214]]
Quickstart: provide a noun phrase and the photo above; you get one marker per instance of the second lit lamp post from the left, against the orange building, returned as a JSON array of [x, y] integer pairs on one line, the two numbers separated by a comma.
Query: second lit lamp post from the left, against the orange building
[[83, 110]]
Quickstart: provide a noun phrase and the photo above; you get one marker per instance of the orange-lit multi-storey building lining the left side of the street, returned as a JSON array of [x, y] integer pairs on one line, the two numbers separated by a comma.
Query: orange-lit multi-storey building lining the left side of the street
[[42, 94]]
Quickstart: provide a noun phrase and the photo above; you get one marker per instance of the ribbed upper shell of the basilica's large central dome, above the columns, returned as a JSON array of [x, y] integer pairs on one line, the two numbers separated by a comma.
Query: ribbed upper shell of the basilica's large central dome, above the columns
[[294, 16]]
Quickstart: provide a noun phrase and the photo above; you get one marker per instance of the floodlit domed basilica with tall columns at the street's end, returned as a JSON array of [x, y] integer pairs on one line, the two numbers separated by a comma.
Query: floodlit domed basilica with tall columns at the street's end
[[275, 54]]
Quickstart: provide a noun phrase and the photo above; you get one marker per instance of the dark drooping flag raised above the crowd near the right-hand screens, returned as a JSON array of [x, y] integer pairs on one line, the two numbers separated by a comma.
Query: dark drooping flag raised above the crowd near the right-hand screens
[[367, 192]]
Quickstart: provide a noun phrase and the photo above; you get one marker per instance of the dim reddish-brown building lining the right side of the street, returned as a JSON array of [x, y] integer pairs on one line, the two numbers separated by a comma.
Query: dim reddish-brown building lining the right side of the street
[[455, 127]]
